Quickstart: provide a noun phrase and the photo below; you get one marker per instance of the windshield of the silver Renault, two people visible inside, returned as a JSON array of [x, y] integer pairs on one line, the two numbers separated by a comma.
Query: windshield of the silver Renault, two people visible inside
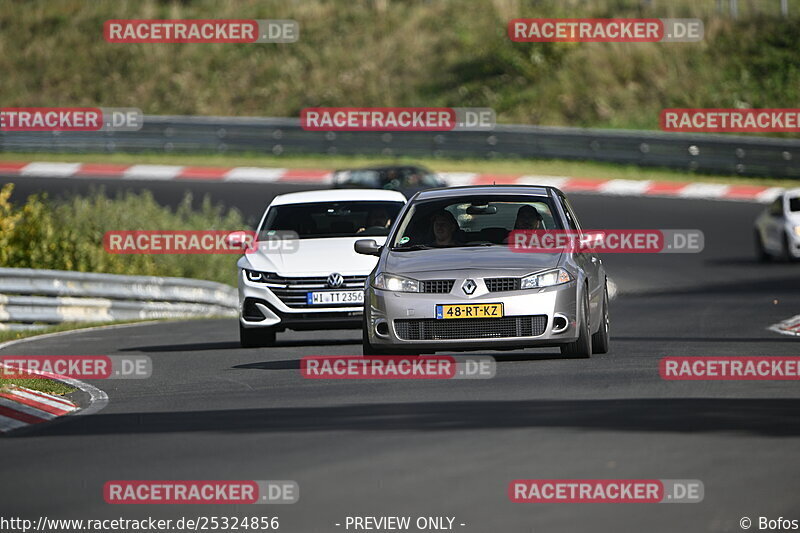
[[472, 221]]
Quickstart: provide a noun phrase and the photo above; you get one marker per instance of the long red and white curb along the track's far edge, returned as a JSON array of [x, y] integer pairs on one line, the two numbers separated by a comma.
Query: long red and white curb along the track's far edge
[[618, 187]]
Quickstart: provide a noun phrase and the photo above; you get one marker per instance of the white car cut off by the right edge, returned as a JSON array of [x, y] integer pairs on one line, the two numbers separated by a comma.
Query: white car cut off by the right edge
[[777, 228]]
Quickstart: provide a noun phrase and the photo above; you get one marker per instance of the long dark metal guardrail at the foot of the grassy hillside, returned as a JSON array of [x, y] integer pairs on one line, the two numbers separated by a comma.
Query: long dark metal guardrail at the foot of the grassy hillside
[[726, 154]]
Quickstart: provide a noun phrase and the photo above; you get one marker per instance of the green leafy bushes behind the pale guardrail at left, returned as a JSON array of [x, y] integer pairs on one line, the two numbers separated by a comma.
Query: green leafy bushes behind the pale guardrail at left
[[67, 234]]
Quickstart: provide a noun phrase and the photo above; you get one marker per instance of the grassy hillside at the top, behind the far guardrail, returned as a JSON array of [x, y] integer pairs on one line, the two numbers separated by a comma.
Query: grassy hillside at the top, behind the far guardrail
[[402, 53]]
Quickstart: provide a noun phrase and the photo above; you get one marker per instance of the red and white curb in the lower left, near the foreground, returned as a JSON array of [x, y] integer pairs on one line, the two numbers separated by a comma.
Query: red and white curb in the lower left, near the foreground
[[21, 407]]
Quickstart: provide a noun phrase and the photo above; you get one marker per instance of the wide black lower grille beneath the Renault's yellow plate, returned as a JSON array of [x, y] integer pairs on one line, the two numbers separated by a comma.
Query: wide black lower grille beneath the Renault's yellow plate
[[430, 329]]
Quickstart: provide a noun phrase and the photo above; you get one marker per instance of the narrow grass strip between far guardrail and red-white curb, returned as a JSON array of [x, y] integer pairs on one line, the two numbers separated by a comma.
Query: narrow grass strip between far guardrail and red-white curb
[[578, 169]]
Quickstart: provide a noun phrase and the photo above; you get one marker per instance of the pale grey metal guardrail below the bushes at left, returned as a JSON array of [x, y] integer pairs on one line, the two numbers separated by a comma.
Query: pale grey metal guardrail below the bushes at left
[[31, 298]]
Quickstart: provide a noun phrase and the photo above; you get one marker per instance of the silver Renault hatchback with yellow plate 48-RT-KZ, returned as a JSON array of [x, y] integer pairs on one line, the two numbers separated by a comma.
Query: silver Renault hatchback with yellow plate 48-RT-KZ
[[447, 278]]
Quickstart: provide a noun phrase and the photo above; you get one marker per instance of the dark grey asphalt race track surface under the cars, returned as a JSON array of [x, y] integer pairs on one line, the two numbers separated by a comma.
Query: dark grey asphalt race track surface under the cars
[[213, 410]]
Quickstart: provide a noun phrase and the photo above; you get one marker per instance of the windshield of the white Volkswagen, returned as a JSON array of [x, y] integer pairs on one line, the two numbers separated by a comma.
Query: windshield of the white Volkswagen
[[331, 219]]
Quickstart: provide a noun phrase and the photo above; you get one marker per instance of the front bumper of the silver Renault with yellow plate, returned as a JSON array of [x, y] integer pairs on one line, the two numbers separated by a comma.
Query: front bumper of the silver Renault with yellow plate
[[389, 313]]
